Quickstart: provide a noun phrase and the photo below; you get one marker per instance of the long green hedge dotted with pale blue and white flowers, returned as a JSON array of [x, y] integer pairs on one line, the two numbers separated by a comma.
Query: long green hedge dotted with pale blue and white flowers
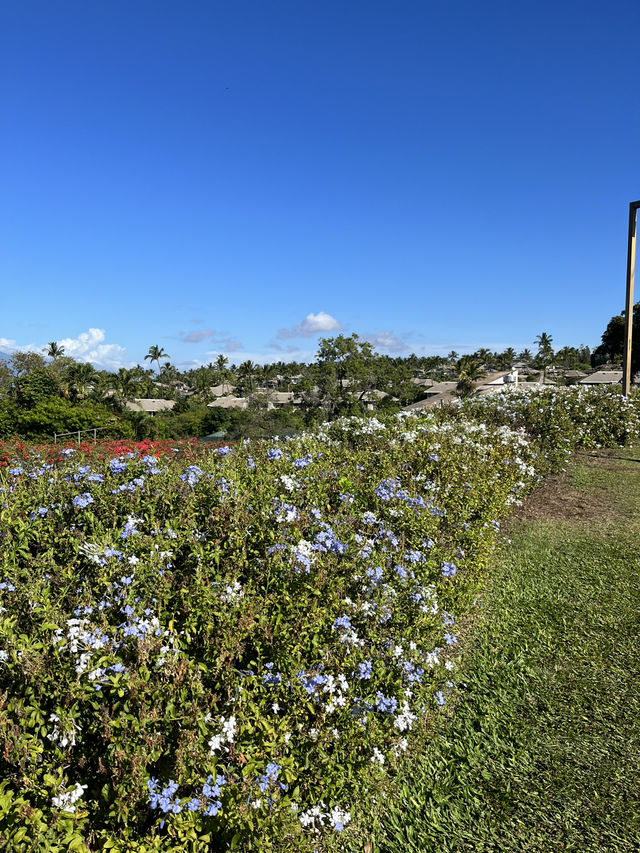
[[222, 650]]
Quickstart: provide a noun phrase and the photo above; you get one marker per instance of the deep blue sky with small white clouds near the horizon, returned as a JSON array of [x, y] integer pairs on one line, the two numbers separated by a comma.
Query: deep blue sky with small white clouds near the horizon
[[244, 177]]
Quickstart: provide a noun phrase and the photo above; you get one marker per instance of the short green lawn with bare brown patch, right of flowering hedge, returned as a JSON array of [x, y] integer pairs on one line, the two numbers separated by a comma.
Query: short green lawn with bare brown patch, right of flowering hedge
[[542, 751]]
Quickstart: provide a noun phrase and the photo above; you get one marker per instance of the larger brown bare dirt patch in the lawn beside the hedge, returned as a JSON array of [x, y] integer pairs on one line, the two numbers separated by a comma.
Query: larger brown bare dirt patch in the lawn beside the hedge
[[555, 500]]
